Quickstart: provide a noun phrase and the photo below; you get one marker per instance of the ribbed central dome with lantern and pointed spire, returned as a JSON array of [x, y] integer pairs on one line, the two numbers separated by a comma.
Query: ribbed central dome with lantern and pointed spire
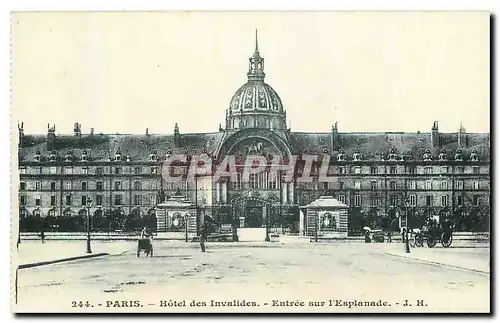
[[256, 104]]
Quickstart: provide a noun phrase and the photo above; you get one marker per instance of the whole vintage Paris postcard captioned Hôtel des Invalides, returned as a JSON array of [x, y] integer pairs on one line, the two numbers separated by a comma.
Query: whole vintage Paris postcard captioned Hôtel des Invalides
[[251, 162]]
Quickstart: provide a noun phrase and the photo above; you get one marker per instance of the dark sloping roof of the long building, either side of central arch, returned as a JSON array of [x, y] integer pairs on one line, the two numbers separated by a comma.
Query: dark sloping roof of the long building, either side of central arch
[[371, 145]]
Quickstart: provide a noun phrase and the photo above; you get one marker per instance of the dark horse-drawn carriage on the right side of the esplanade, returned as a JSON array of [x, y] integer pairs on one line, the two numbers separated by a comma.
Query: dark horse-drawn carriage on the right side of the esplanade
[[432, 234]]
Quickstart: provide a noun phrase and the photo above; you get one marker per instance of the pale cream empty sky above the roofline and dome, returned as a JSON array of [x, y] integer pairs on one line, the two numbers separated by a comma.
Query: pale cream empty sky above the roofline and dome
[[369, 71]]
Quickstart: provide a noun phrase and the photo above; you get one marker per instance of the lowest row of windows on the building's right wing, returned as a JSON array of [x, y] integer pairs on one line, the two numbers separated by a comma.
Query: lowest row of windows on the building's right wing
[[396, 200]]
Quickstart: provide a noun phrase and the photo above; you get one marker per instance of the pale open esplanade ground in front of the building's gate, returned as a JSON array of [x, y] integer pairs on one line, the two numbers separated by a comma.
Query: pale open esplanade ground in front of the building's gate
[[262, 273]]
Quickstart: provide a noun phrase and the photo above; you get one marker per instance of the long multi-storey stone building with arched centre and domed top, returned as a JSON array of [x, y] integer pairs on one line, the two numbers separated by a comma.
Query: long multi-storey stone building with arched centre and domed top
[[376, 174]]
